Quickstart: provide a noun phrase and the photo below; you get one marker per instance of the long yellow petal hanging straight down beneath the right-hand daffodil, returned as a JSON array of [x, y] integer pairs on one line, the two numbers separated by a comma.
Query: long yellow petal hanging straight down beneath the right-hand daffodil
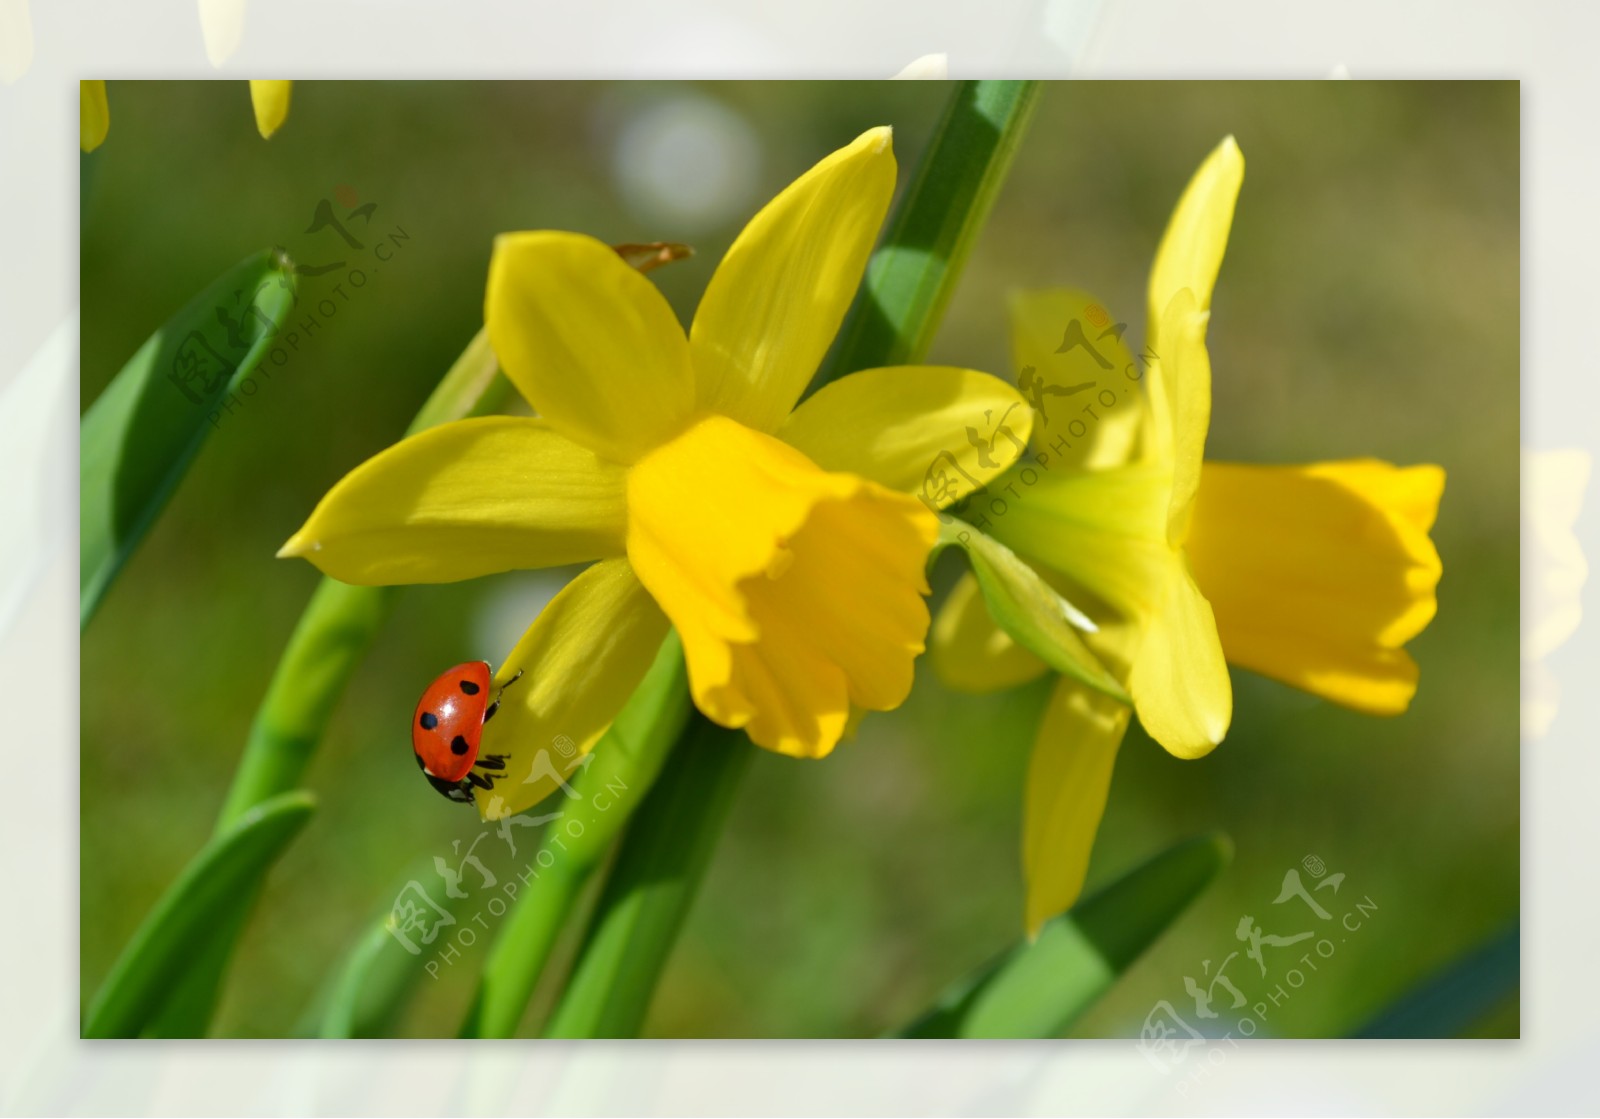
[[1068, 782]]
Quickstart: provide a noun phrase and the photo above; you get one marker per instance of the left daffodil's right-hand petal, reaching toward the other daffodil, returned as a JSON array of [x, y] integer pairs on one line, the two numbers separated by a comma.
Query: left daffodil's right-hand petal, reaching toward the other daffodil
[[913, 428]]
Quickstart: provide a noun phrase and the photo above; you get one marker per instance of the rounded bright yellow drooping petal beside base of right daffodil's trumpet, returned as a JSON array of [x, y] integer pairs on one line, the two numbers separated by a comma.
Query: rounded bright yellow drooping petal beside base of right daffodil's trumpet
[[1180, 680]]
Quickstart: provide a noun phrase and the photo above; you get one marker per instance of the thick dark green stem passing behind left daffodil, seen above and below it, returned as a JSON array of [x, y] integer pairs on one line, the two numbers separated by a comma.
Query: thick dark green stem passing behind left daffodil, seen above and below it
[[908, 286]]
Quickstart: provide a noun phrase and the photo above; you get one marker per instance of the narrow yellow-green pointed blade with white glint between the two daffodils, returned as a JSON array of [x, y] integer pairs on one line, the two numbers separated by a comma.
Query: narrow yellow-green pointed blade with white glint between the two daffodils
[[1031, 611]]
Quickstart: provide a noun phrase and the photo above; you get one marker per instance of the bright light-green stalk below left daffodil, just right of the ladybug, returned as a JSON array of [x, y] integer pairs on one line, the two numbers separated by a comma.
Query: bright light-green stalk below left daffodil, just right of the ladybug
[[625, 768]]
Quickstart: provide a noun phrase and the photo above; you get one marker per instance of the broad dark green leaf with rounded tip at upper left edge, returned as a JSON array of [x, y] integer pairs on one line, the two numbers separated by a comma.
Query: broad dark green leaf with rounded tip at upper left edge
[[138, 439]]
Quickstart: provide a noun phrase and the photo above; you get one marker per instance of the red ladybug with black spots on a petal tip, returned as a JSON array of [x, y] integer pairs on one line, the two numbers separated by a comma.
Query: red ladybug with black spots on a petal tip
[[449, 726]]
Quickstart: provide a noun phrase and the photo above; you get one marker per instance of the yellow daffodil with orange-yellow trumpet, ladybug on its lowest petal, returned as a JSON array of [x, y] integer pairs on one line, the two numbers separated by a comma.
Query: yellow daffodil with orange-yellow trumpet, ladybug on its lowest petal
[[783, 543]]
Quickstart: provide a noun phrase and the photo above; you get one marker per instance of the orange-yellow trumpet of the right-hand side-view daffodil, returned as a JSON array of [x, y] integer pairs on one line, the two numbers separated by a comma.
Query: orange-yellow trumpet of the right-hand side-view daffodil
[[1321, 574]]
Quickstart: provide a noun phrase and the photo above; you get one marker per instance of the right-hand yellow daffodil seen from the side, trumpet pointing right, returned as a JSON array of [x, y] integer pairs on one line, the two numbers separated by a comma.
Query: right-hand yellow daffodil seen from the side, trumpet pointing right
[[1314, 576]]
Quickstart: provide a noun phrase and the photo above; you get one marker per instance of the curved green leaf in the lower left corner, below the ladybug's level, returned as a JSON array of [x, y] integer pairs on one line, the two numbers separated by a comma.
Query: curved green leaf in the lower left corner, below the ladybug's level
[[185, 921]]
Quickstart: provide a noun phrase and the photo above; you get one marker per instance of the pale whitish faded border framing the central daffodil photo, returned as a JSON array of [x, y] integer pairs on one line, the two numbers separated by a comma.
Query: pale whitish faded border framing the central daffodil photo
[[46, 1070]]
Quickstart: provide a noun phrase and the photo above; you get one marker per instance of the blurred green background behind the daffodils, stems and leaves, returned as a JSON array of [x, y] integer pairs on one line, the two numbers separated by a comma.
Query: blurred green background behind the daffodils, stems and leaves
[[1369, 307]]
